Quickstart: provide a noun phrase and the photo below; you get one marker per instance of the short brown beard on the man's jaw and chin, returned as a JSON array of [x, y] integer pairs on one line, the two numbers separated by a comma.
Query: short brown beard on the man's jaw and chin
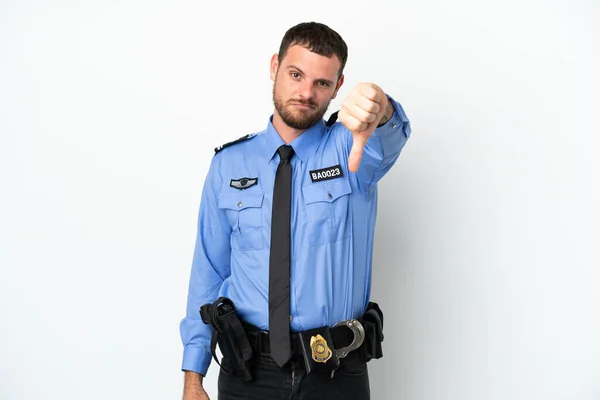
[[298, 118]]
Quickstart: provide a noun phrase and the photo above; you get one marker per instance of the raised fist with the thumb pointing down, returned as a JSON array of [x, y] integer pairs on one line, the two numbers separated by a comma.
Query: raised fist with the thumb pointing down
[[361, 112]]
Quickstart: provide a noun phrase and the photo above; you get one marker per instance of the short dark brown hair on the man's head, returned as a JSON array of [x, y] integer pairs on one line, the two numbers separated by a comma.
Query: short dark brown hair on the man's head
[[318, 38]]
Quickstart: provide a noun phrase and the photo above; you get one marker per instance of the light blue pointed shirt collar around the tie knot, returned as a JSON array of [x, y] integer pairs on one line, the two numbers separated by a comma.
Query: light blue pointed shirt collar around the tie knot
[[304, 145]]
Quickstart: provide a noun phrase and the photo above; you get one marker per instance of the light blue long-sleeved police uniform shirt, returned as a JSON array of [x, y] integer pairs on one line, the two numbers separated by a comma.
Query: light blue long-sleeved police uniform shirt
[[333, 222]]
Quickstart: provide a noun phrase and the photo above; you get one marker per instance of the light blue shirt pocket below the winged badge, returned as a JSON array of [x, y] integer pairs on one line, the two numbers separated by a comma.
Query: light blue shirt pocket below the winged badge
[[244, 212]]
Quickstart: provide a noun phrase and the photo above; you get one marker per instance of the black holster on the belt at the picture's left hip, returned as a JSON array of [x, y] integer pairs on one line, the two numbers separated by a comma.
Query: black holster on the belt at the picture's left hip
[[231, 337]]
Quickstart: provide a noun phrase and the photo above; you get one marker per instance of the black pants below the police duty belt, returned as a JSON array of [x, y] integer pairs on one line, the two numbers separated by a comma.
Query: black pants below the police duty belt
[[350, 382]]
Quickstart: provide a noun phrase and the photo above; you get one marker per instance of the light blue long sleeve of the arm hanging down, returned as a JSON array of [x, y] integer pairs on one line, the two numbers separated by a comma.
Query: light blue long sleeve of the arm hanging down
[[210, 267]]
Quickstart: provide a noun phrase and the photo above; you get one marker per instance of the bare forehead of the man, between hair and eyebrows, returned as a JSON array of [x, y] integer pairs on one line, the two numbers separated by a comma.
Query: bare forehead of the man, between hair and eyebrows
[[311, 63]]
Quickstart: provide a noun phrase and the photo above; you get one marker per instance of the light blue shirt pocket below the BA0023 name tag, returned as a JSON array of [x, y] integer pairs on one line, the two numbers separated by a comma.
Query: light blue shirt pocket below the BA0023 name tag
[[327, 205]]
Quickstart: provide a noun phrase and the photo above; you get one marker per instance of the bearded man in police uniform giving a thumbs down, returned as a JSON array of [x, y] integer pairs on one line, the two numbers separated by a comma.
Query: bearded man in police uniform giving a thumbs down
[[285, 233]]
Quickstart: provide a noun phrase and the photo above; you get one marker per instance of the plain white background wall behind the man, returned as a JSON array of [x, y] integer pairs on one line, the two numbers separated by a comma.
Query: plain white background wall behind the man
[[486, 260]]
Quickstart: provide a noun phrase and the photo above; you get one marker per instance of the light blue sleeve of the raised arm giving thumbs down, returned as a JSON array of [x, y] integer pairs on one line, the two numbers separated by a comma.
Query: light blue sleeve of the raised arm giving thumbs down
[[383, 148]]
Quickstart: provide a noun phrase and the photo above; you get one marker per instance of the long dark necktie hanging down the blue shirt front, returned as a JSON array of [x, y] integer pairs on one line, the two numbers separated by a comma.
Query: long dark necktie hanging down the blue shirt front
[[279, 264]]
